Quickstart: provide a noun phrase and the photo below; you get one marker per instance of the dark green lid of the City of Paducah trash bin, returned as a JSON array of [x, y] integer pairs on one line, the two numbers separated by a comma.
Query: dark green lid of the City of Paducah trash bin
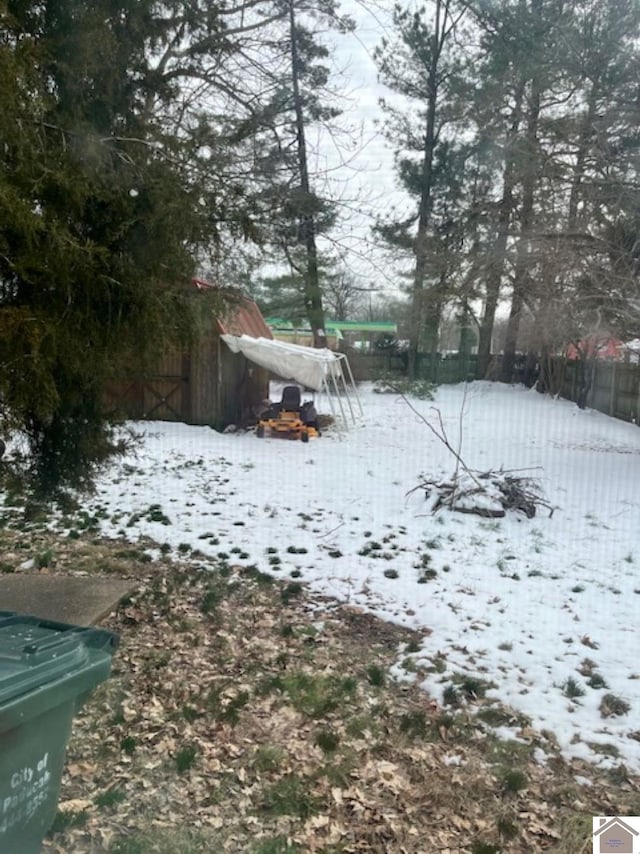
[[34, 652]]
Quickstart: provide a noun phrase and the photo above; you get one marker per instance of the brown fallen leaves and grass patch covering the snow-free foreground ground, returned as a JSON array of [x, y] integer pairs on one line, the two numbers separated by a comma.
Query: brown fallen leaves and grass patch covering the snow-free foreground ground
[[245, 714]]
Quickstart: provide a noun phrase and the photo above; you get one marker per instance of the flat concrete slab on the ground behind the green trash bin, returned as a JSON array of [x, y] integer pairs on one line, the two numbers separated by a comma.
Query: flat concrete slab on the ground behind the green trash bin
[[79, 600]]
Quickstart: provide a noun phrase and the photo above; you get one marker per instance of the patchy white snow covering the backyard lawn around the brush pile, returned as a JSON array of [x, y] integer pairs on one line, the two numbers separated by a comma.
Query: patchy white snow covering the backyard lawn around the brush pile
[[518, 602]]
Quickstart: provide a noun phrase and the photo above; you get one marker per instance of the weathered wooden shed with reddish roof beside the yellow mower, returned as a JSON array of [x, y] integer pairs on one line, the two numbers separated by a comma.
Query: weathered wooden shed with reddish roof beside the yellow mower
[[208, 385]]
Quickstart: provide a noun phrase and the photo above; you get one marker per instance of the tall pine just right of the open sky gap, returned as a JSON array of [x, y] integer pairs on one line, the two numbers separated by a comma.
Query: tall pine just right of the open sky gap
[[420, 65]]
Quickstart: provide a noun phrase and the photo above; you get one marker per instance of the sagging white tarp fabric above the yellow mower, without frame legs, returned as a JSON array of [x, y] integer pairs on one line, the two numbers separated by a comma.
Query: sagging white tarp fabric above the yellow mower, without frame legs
[[307, 366]]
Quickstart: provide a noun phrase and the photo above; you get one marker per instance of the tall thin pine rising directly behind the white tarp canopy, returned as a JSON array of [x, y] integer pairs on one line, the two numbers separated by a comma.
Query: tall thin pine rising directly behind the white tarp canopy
[[296, 214]]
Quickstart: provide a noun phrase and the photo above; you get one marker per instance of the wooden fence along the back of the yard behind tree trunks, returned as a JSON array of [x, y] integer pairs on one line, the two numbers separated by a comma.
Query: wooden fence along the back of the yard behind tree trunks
[[611, 387]]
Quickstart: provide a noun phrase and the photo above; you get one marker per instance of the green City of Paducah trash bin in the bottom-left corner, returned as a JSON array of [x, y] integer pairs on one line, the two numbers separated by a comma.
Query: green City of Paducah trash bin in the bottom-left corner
[[47, 671]]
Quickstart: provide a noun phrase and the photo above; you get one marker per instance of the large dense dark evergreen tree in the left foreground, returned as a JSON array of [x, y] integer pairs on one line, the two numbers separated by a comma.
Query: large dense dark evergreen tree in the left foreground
[[100, 221]]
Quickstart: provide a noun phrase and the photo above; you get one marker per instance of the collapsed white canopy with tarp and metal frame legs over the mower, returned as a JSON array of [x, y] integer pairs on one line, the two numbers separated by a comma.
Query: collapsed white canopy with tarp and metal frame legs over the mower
[[317, 369]]
